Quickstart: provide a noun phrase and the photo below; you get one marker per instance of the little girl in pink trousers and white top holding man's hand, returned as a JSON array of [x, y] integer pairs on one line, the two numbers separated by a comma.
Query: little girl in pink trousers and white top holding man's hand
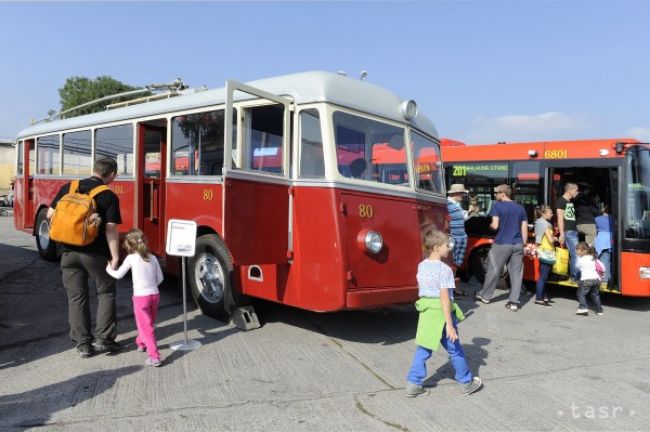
[[146, 275]]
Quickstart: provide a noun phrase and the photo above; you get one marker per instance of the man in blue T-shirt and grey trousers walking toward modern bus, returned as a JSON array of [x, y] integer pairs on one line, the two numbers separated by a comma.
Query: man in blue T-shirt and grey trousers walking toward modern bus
[[510, 222]]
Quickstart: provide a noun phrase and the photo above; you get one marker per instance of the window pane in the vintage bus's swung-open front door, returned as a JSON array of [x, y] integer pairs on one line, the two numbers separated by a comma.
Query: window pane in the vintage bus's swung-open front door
[[263, 133]]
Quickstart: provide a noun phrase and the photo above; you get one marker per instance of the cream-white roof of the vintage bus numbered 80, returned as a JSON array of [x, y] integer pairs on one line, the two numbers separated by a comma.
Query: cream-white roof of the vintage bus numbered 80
[[305, 87]]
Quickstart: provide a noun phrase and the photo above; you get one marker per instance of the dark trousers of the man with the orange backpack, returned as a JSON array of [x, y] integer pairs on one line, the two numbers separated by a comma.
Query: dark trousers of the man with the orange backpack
[[77, 267]]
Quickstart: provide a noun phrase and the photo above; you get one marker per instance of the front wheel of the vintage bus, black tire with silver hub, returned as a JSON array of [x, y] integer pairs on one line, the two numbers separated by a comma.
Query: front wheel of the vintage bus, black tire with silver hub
[[210, 273]]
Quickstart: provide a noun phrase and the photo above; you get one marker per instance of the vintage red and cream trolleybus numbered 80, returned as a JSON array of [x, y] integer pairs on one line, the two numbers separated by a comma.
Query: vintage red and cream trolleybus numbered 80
[[265, 171]]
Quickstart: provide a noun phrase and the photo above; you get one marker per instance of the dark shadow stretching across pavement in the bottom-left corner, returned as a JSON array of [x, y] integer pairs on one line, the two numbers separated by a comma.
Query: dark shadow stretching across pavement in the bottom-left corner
[[35, 407]]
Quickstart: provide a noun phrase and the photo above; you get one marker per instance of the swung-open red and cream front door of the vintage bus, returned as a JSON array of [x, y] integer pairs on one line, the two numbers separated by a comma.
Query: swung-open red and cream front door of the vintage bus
[[256, 204]]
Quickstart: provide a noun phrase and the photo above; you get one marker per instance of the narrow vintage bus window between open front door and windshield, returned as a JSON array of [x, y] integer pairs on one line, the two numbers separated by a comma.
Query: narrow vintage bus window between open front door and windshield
[[312, 162]]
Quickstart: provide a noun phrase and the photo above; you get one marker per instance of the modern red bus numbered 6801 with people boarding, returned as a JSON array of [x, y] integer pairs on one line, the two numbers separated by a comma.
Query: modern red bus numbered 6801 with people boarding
[[618, 169]]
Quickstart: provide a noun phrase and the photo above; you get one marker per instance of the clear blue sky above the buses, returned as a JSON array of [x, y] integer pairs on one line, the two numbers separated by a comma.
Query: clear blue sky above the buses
[[482, 71]]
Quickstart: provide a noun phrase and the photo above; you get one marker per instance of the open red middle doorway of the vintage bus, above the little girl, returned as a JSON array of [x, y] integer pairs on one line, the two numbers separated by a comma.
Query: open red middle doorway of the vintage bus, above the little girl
[[150, 205]]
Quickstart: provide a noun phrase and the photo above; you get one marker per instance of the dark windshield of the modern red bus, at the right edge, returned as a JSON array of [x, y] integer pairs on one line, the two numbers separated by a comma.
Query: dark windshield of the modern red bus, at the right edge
[[638, 193]]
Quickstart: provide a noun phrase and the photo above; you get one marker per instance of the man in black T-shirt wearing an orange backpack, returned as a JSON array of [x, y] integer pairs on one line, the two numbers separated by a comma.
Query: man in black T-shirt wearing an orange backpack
[[87, 245]]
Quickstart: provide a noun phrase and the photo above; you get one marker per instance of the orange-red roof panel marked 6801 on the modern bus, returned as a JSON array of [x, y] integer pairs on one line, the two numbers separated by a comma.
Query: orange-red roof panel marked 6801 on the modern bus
[[576, 149]]
